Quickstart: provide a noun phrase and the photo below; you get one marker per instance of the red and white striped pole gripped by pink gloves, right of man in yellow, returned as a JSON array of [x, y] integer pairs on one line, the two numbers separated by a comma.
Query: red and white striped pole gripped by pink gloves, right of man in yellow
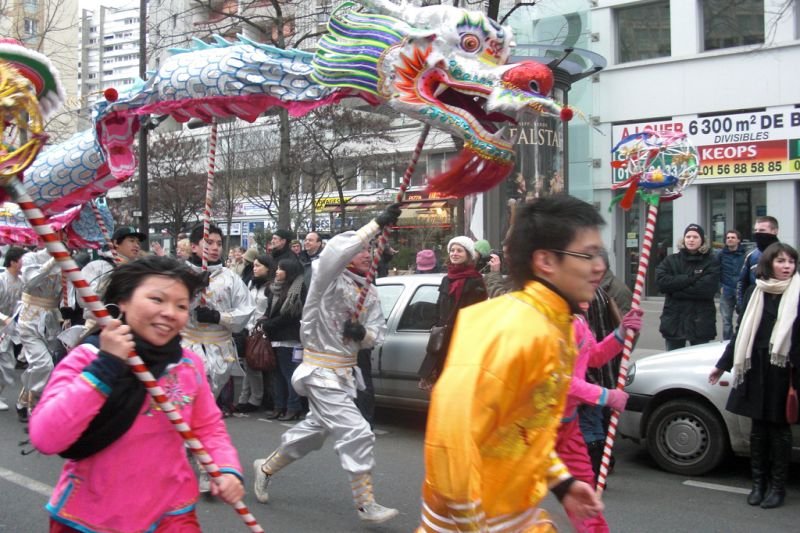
[[641, 274]]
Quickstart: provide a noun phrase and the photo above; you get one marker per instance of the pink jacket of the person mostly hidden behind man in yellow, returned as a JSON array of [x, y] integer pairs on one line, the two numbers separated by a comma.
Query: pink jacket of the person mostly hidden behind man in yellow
[[591, 354]]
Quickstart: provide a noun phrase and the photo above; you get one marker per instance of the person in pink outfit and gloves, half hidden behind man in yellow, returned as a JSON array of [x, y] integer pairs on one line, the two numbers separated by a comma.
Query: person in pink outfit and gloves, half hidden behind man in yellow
[[570, 445]]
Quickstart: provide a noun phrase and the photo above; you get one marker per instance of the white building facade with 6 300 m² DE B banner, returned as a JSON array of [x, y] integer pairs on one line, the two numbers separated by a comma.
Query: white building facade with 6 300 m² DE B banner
[[722, 72]]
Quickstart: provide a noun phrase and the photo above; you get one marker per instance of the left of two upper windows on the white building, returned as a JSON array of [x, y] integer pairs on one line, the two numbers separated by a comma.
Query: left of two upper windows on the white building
[[643, 31]]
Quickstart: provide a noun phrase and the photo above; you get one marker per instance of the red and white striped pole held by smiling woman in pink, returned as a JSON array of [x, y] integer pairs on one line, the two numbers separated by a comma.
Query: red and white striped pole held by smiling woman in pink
[[90, 300]]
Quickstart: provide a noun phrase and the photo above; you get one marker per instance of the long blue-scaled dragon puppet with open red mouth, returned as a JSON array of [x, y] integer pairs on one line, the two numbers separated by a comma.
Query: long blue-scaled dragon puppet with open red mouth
[[444, 66]]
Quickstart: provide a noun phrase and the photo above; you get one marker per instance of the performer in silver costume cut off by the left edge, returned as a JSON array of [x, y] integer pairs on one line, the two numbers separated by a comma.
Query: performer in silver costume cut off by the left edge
[[10, 293]]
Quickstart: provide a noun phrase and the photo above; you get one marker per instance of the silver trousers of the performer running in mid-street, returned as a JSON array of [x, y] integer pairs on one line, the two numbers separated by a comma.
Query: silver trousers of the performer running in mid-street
[[332, 412]]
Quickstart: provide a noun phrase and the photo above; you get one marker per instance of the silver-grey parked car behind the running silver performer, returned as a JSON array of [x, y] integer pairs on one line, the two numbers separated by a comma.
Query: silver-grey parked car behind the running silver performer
[[409, 305]]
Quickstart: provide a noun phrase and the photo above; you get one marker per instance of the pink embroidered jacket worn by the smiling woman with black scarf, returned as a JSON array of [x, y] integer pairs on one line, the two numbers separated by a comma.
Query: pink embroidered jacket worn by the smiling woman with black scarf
[[144, 475]]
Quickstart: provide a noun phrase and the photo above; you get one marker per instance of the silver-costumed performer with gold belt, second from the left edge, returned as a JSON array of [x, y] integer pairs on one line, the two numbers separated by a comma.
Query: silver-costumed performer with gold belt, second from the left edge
[[38, 325]]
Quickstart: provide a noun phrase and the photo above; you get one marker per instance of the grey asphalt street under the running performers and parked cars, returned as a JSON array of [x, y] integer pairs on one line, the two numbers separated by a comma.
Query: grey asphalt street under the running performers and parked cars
[[313, 494]]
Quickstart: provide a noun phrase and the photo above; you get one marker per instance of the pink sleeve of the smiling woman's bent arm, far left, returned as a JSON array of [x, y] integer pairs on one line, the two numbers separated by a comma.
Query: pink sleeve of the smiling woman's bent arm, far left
[[68, 404]]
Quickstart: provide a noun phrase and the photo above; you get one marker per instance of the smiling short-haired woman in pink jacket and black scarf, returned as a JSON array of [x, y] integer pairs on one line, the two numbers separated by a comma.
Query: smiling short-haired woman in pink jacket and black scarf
[[127, 469]]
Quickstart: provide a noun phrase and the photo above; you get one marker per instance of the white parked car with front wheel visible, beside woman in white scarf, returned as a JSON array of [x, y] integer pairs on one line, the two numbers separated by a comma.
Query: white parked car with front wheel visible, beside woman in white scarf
[[680, 417]]
